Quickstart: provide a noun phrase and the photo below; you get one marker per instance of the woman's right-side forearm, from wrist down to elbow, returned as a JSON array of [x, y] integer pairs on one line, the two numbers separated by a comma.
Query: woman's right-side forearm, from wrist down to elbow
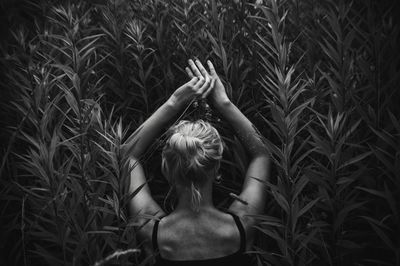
[[245, 130]]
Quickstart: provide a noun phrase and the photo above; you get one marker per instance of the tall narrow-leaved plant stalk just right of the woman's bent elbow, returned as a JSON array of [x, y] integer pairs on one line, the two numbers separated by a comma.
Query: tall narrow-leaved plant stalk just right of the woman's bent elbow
[[285, 95]]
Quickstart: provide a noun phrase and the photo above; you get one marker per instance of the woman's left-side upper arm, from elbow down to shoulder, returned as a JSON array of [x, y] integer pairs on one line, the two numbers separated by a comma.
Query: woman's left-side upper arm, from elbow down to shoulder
[[142, 202]]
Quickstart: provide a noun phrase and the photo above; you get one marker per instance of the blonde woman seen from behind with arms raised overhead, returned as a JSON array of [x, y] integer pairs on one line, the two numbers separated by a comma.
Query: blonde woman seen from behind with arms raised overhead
[[196, 233]]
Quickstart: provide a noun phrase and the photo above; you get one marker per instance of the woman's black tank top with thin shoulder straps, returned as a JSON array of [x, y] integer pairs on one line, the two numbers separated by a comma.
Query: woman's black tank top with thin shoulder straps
[[237, 258]]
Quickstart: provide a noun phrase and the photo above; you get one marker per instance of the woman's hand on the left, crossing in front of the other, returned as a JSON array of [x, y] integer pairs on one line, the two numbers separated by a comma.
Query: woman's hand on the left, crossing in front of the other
[[196, 87]]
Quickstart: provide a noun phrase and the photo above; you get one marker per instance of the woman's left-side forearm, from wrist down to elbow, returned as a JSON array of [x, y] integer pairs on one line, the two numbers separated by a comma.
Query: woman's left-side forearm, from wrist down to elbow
[[151, 129]]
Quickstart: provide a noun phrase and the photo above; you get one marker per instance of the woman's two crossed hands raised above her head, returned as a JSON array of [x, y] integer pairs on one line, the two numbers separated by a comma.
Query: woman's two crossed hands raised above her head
[[202, 84]]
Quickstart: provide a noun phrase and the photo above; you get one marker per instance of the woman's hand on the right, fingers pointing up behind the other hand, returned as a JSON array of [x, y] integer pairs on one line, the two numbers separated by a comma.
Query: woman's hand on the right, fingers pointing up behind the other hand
[[217, 93]]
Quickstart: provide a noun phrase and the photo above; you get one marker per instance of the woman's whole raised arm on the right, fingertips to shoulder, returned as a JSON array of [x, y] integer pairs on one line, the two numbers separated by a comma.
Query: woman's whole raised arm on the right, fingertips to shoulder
[[253, 192]]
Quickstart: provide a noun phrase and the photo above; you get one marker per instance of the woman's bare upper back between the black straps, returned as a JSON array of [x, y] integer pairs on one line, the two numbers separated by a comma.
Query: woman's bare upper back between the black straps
[[213, 233]]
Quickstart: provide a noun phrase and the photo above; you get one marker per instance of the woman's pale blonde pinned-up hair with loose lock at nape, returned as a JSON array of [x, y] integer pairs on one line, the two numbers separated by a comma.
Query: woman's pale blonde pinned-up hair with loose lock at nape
[[191, 152]]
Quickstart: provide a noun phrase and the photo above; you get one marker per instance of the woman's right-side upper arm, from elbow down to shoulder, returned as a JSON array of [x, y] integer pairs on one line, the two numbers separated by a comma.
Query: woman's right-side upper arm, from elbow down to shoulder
[[254, 190]]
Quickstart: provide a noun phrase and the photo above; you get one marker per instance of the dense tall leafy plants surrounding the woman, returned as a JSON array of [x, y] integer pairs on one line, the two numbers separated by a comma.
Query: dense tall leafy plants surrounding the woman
[[320, 79]]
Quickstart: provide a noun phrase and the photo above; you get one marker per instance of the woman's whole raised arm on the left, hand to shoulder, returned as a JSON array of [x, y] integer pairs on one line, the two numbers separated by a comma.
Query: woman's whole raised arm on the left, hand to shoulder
[[137, 144]]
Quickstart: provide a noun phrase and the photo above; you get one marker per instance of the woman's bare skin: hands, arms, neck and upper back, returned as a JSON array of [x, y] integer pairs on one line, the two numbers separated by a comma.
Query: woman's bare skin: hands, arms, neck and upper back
[[209, 233]]
